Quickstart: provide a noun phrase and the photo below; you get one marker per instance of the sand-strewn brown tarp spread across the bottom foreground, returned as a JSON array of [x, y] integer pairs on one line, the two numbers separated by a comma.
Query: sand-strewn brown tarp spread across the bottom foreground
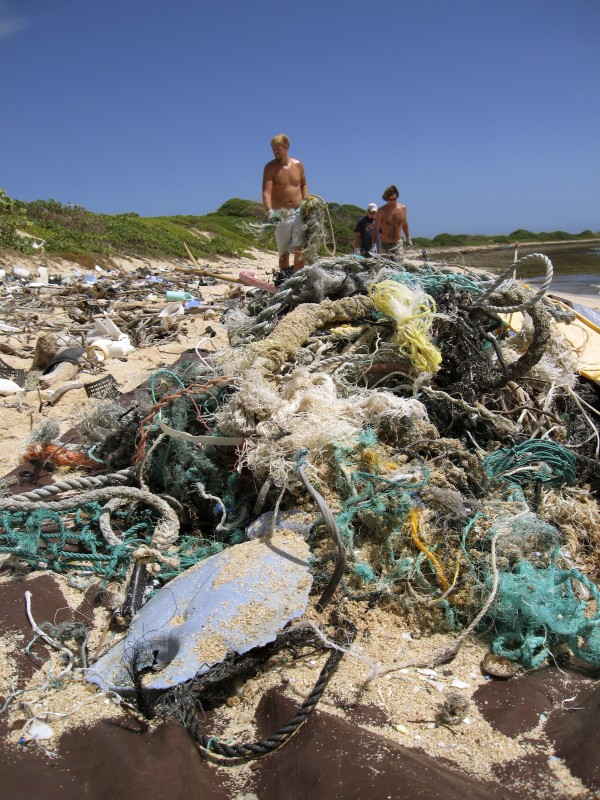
[[329, 757]]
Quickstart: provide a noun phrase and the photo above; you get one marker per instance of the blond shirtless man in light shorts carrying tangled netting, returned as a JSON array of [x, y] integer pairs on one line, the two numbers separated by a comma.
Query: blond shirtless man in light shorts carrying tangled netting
[[284, 189]]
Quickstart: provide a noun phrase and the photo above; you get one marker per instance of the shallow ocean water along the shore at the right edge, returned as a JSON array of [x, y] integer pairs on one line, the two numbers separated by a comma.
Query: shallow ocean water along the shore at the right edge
[[576, 266]]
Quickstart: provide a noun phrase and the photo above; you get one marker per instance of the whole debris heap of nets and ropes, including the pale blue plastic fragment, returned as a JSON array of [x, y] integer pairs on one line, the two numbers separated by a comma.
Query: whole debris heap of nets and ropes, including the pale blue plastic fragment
[[411, 437]]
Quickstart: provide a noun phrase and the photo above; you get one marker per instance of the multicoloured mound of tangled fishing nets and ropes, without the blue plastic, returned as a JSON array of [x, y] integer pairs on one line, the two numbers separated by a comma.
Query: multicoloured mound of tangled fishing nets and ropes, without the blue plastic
[[456, 451]]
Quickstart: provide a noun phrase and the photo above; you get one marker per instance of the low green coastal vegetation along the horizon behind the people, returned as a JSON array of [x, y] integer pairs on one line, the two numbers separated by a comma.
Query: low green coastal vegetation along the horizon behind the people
[[71, 231]]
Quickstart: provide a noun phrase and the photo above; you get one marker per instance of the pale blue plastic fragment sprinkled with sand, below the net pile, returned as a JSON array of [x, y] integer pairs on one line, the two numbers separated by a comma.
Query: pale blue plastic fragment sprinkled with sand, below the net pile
[[232, 602]]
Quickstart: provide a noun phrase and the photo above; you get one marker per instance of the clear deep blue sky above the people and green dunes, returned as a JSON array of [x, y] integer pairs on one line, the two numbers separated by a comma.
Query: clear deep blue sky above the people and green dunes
[[485, 114]]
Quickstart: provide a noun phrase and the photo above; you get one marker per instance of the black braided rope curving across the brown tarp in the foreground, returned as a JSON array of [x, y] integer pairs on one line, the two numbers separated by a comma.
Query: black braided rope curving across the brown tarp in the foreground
[[232, 754]]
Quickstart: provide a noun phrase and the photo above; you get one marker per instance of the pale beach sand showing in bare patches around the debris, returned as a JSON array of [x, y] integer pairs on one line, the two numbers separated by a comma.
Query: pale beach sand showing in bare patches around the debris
[[407, 699]]
